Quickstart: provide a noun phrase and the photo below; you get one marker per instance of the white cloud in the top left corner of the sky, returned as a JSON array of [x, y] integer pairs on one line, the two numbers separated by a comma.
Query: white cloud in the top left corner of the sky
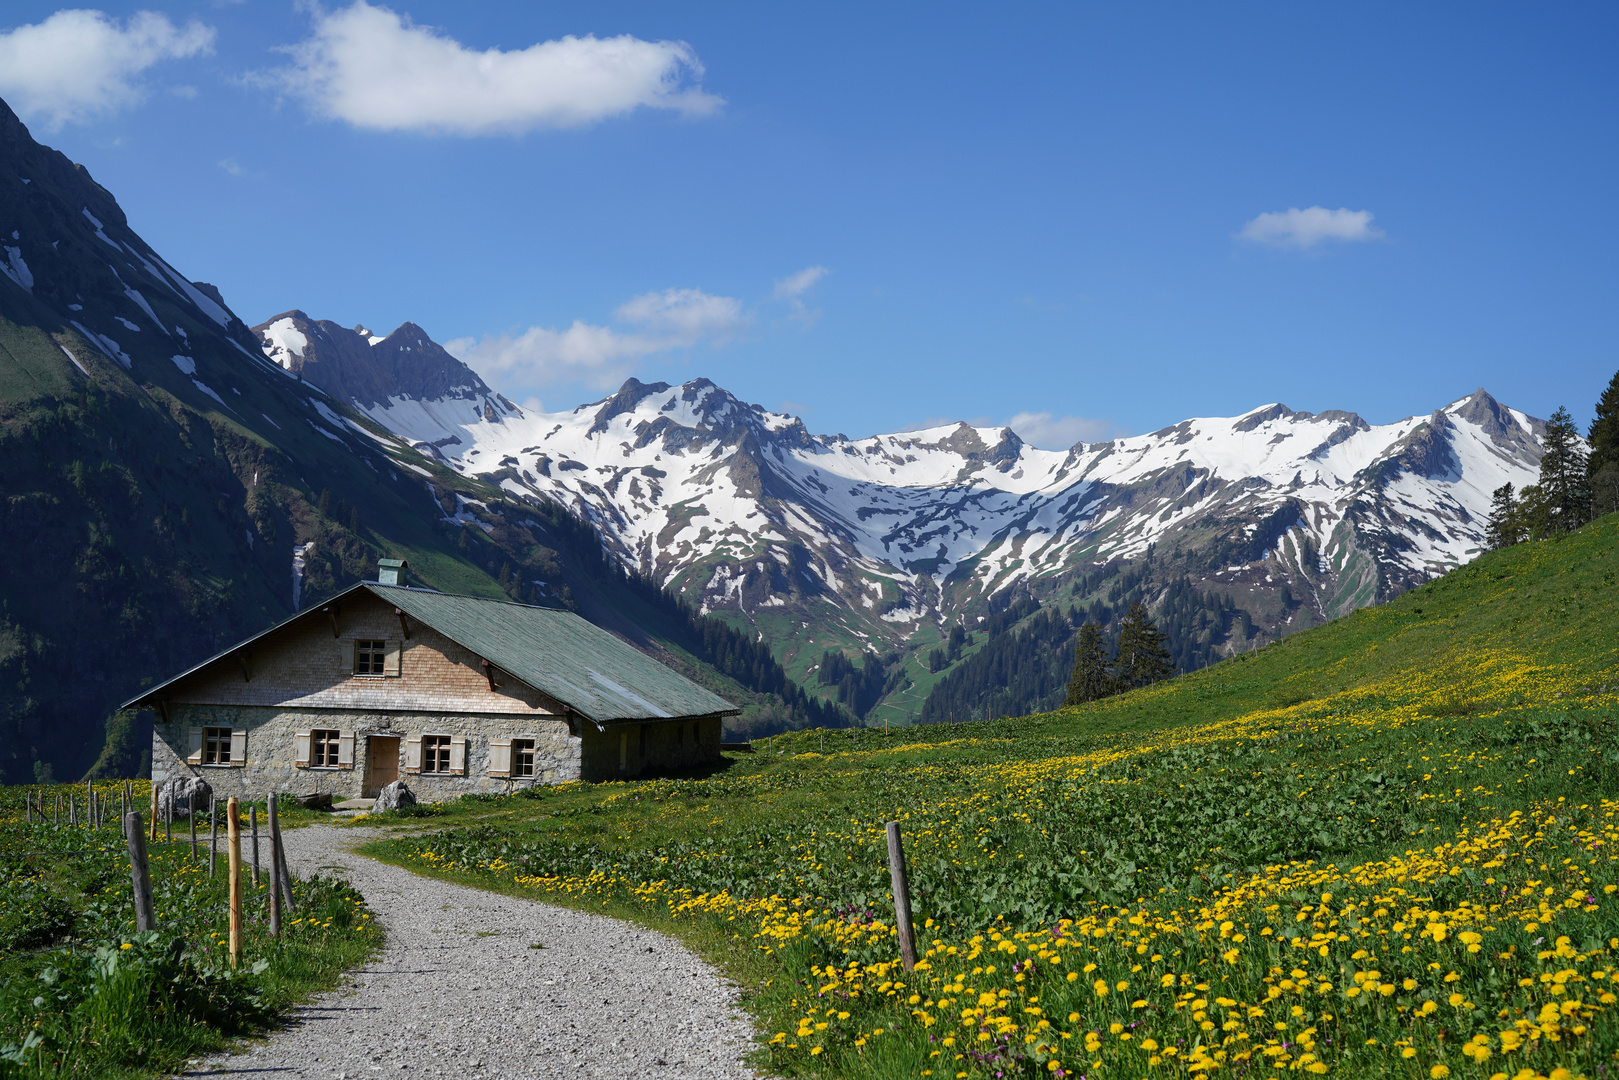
[[82, 66]]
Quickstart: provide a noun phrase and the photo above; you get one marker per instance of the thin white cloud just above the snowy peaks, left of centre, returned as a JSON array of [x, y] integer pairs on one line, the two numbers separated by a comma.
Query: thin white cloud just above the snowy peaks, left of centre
[[603, 357]]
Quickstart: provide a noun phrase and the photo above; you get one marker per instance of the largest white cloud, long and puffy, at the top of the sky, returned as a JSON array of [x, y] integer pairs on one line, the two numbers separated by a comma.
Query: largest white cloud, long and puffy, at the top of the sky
[[375, 69]]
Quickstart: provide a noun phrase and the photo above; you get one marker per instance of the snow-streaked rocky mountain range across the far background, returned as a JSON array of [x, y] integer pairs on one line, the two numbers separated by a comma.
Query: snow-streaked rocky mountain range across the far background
[[825, 540]]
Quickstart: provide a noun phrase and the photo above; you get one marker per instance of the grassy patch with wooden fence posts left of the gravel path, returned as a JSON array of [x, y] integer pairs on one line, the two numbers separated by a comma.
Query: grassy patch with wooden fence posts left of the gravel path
[[83, 995]]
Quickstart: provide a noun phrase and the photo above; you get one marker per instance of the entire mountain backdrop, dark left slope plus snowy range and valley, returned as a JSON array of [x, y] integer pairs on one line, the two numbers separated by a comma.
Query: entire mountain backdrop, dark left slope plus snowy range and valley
[[172, 482]]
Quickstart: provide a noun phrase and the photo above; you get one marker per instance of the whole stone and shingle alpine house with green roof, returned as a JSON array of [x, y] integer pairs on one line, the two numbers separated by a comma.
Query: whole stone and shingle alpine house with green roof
[[453, 694]]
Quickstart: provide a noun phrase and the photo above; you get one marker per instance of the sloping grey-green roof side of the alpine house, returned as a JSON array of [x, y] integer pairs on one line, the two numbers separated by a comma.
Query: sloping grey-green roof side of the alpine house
[[561, 655]]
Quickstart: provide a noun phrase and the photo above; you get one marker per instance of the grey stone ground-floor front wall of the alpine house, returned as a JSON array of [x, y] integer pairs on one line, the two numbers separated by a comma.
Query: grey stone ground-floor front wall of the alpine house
[[271, 750]]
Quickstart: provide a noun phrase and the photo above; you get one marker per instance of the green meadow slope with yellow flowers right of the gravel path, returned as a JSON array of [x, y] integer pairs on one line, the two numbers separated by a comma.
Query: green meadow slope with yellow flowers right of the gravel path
[[1382, 848]]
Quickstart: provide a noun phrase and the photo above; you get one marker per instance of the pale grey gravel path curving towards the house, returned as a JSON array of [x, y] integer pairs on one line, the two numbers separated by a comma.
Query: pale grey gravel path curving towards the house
[[461, 992]]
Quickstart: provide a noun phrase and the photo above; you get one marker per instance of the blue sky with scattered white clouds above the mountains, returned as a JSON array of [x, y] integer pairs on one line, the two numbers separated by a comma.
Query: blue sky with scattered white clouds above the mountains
[[1077, 216]]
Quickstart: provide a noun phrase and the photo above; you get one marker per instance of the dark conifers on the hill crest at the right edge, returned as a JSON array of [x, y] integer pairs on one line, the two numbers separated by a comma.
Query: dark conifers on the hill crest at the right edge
[[1576, 485]]
